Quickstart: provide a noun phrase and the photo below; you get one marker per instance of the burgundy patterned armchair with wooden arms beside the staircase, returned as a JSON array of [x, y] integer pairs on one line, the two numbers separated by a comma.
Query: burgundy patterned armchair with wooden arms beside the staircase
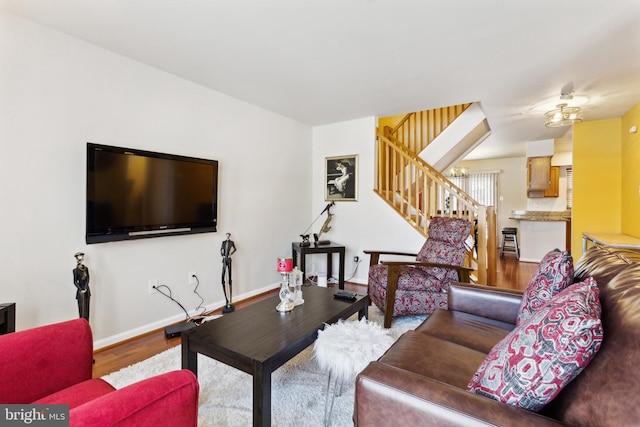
[[420, 286]]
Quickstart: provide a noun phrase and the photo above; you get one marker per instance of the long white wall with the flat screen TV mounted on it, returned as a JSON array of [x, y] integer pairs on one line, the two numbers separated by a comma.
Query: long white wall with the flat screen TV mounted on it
[[56, 94]]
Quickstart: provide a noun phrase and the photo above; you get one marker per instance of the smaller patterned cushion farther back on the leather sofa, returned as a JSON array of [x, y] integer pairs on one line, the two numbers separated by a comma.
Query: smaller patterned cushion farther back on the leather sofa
[[554, 273]]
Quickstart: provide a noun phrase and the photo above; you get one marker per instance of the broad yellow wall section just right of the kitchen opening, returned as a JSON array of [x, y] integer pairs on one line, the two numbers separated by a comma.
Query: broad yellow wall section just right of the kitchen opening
[[596, 179]]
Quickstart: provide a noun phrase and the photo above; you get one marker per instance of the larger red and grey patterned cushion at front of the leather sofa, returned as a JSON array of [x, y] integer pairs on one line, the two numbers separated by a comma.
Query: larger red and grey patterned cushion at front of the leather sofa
[[532, 364]]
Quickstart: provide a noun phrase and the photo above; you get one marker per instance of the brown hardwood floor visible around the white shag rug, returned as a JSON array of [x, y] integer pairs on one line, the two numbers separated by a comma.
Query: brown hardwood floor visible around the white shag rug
[[511, 274]]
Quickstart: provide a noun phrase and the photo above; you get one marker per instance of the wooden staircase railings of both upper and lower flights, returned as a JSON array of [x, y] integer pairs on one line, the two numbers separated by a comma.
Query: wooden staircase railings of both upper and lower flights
[[418, 192]]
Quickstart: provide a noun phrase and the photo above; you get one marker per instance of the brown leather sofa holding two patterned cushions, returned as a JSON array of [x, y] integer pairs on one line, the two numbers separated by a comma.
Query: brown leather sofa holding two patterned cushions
[[422, 378]]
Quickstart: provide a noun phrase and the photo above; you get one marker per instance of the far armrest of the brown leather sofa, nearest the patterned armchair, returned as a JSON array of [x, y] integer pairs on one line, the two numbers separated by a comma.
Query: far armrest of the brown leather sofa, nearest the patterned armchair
[[493, 303]]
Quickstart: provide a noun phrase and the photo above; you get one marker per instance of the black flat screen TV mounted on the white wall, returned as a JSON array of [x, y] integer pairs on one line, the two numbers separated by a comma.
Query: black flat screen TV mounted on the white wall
[[134, 194]]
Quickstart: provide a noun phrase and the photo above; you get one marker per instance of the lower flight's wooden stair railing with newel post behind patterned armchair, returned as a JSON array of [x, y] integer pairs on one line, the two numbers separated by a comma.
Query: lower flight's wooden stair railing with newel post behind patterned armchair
[[419, 192]]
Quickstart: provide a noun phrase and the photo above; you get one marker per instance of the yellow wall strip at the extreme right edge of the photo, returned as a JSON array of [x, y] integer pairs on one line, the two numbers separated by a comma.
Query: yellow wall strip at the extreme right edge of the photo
[[630, 168]]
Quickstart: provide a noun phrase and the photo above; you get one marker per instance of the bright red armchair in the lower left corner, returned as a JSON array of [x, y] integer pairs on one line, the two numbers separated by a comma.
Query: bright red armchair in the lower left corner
[[52, 365]]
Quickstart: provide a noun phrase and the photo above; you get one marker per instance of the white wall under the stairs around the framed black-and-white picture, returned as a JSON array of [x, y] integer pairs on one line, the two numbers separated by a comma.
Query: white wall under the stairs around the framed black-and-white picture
[[368, 223]]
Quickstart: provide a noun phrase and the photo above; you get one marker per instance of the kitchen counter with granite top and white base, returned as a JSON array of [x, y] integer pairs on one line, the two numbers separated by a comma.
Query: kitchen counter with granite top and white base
[[542, 231]]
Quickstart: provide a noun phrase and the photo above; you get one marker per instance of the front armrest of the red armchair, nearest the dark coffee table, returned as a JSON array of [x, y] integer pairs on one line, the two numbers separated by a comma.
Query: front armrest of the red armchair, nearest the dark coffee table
[[169, 399]]
